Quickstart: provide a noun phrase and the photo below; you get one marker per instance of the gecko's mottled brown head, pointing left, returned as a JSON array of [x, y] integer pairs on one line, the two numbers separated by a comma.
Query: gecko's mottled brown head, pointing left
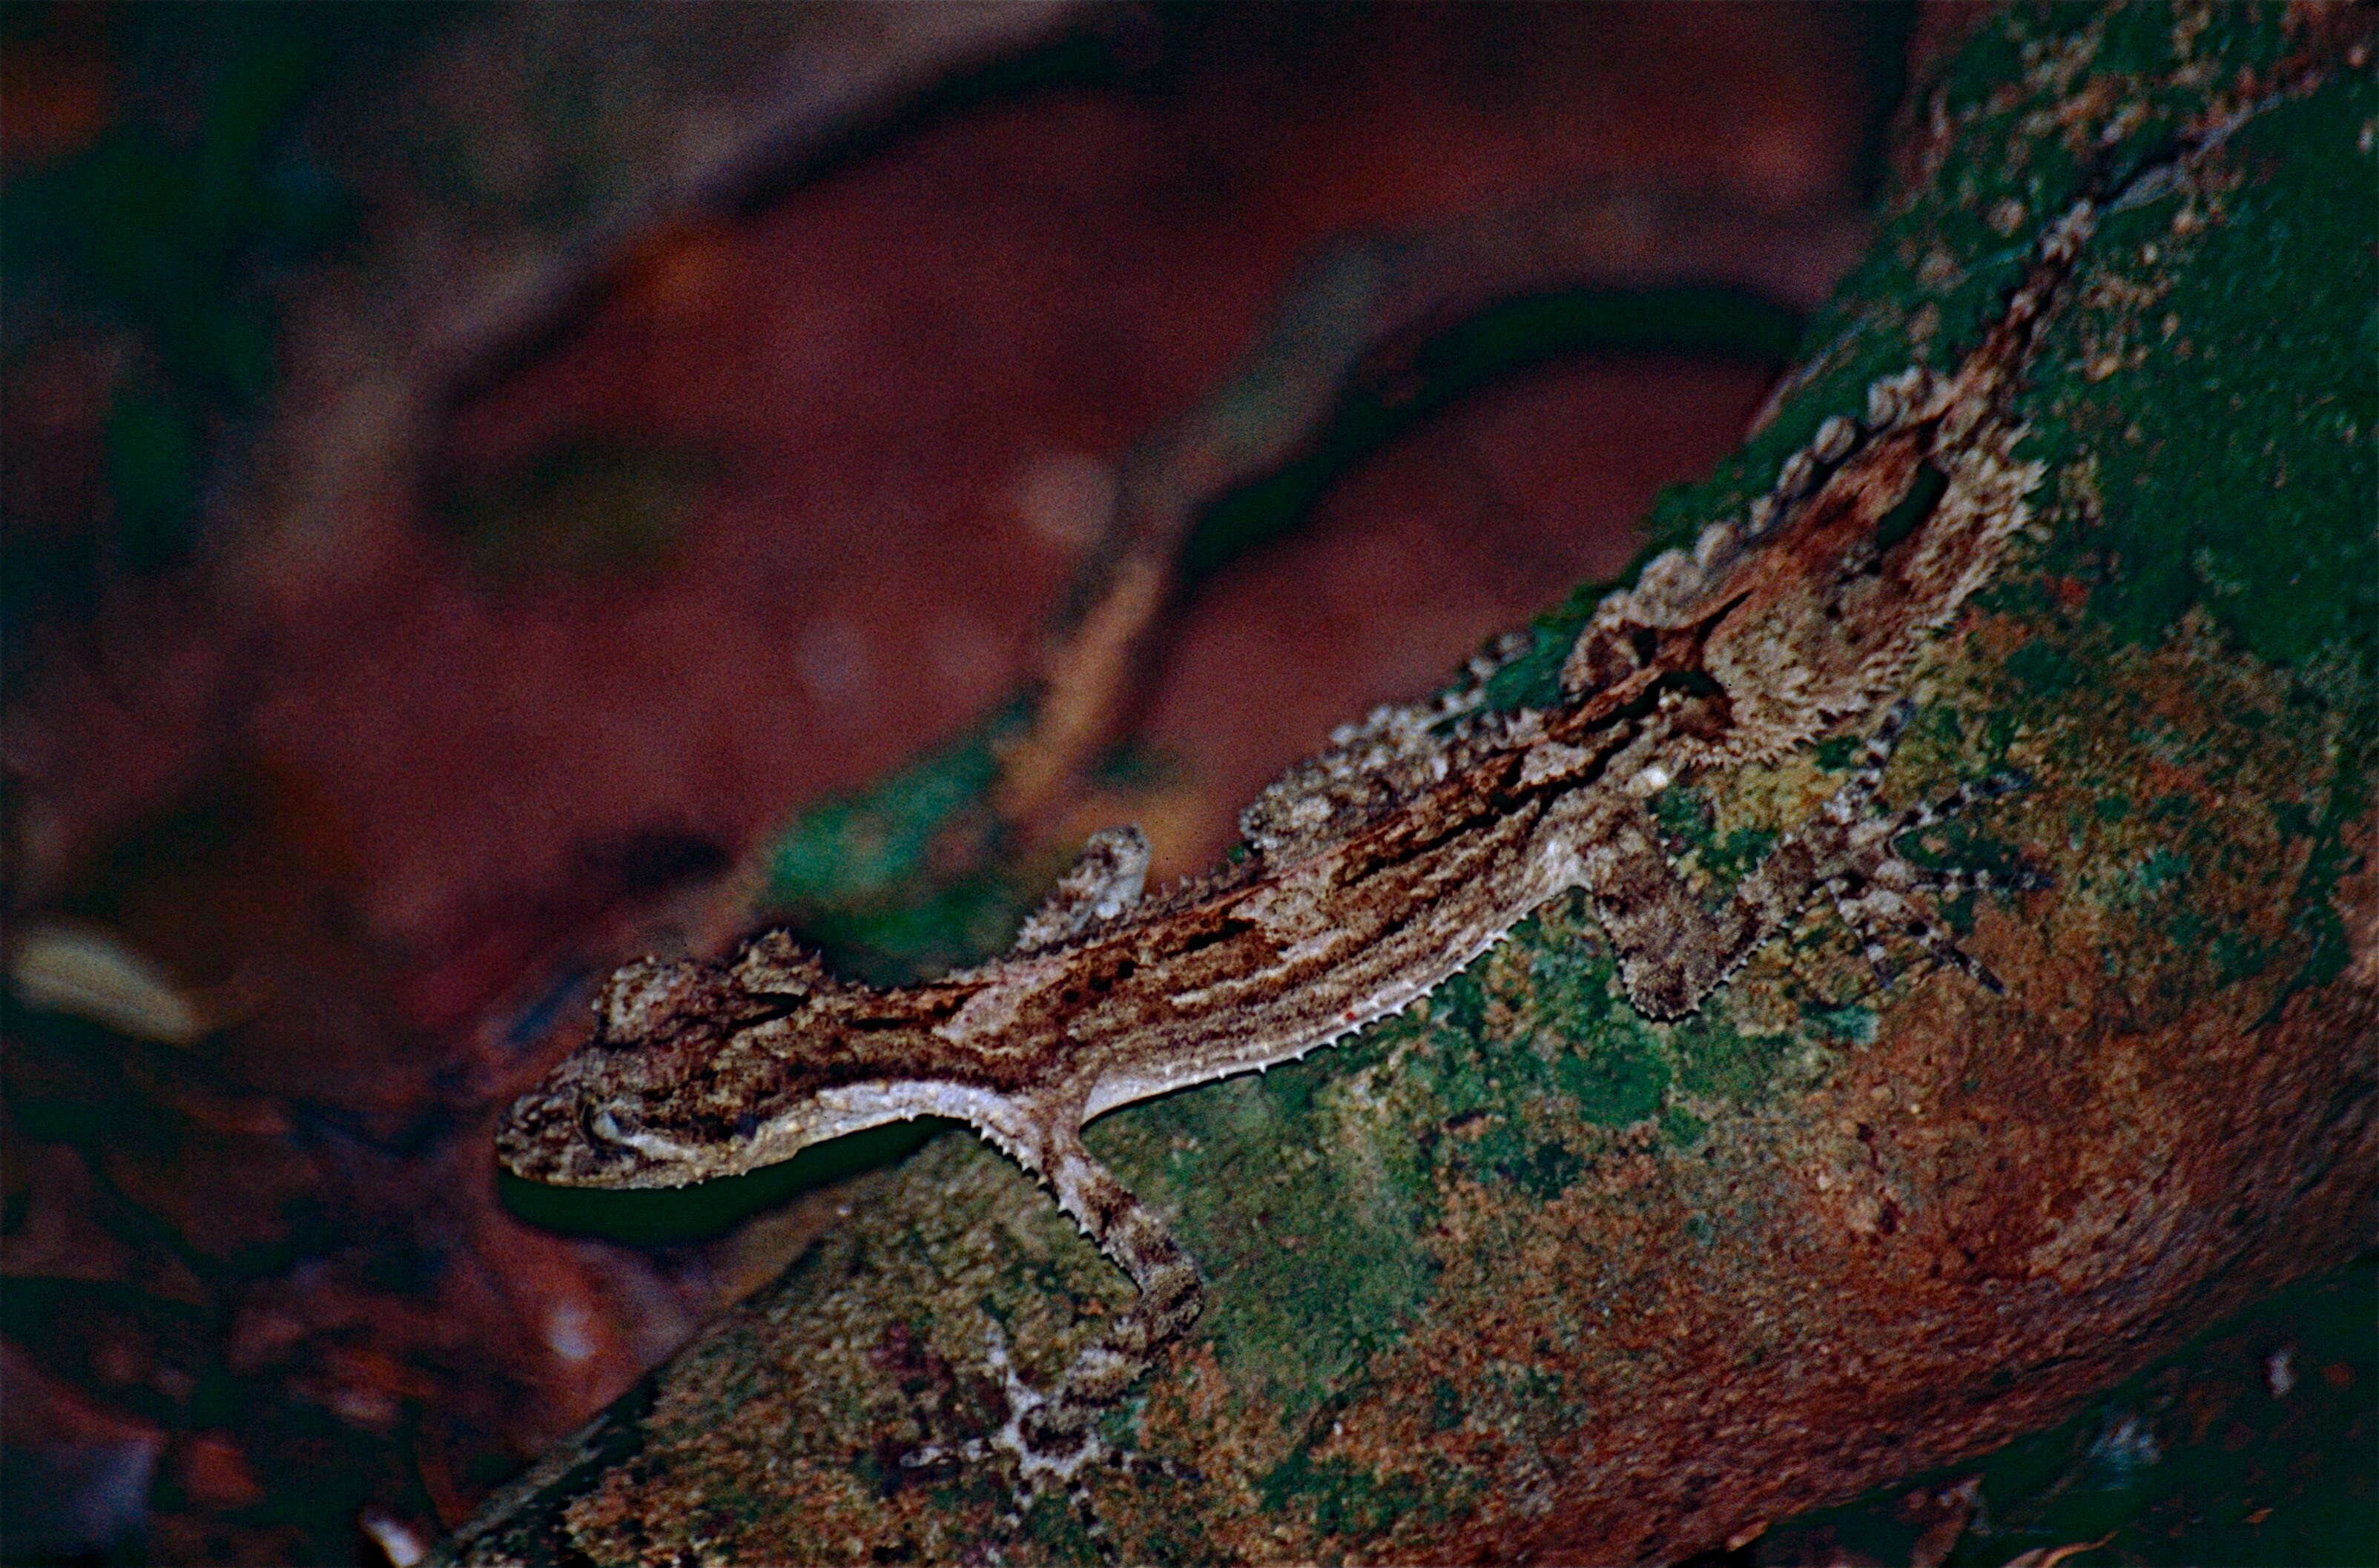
[[693, 1072]]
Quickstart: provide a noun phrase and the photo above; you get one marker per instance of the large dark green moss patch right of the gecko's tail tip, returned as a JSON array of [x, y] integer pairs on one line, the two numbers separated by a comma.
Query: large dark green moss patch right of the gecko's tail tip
[[2245, 484]]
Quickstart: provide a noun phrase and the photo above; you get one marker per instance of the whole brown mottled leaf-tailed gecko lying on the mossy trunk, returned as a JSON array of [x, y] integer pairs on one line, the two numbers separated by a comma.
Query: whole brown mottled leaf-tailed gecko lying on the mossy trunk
[[1383, 867]]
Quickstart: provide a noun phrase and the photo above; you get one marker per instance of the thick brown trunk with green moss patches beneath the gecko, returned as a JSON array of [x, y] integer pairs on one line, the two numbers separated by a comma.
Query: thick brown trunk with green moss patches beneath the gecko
[[1521, 1274]]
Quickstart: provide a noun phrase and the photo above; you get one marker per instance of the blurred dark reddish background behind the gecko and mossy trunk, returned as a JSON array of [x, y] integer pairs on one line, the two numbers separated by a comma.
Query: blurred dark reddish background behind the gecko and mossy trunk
[[491, 494]]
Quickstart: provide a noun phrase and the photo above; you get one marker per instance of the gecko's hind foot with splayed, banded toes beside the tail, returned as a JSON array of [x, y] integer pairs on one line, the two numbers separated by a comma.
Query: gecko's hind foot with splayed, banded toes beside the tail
[[1871, 891]]
